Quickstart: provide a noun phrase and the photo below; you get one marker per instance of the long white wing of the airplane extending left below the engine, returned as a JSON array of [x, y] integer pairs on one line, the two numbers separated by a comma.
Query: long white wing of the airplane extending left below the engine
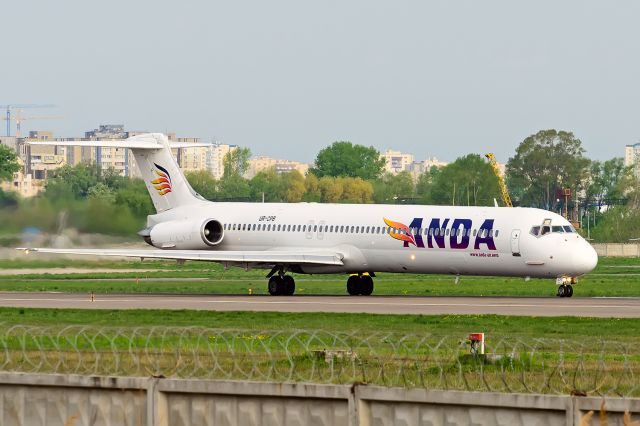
[[241, 257]]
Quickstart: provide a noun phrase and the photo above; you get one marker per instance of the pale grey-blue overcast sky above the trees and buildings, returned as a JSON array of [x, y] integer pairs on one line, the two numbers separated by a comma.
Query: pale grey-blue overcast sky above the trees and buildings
[[286, 78]]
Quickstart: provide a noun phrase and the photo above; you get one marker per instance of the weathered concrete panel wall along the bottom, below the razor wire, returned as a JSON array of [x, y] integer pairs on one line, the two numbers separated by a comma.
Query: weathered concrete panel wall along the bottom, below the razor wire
[[35, 399]]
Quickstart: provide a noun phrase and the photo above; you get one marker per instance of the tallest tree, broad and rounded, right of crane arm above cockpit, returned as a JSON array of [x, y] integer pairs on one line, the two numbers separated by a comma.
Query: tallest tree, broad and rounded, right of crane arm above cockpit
[[544, 163]]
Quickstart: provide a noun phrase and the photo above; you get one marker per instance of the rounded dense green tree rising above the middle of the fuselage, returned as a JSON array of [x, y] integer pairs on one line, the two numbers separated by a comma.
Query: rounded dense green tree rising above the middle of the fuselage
[[345, 159]]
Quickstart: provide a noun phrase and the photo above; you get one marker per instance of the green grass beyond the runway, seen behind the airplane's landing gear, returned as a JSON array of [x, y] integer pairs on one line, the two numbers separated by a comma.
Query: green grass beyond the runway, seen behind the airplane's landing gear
[[612, 277]]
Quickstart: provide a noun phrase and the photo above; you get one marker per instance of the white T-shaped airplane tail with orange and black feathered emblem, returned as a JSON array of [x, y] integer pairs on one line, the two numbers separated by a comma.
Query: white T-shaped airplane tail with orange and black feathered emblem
[[165, 181]]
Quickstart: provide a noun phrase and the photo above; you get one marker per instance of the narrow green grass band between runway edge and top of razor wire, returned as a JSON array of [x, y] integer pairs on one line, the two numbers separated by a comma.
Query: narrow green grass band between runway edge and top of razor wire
[[574, 328]]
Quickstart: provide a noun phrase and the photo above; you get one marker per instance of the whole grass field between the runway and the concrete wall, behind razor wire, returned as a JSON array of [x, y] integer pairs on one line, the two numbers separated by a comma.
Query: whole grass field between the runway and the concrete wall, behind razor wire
[[392, 350]]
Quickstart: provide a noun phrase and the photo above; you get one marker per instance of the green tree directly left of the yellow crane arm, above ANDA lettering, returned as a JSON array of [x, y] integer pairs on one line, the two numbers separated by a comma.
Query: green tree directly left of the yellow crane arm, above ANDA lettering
[[467, 181]]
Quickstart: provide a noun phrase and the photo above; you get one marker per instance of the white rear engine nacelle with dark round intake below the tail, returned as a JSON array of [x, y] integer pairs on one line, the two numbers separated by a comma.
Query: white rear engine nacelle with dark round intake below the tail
[[185, 234]]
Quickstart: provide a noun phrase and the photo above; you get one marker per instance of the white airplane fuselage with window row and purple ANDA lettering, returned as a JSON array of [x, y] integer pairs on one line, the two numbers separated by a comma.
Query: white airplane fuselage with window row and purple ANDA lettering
[[392, 238]]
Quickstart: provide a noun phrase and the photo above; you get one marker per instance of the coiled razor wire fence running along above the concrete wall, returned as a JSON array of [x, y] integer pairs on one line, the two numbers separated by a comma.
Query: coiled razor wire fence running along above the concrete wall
[[524, 365]]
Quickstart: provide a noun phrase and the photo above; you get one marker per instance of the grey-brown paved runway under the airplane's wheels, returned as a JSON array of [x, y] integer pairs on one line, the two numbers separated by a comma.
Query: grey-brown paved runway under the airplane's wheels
[[529, 306]]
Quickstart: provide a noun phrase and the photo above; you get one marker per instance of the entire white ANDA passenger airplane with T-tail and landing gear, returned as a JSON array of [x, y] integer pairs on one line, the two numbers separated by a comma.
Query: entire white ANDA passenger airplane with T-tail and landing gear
[[358, 240]]
